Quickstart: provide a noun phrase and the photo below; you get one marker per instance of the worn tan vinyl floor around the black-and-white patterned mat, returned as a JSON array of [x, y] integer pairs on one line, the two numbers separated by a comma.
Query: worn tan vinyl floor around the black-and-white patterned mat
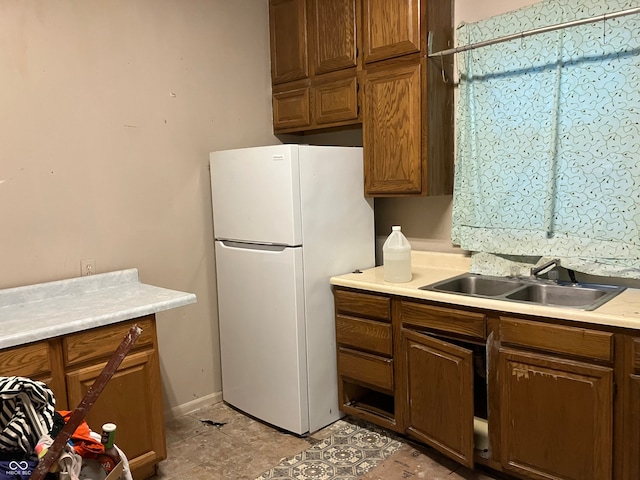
[[219, 442]]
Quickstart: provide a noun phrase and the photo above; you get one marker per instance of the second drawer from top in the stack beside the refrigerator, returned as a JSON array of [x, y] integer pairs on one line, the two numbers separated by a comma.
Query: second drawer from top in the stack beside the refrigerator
[[364, 334]]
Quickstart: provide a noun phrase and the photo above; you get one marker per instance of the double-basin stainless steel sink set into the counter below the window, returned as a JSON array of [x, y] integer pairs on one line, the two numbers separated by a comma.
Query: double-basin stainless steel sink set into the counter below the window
[[580, 296]]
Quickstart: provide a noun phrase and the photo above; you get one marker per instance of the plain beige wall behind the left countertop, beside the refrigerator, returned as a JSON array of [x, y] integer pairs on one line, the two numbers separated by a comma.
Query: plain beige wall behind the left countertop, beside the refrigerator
[[109, 111]]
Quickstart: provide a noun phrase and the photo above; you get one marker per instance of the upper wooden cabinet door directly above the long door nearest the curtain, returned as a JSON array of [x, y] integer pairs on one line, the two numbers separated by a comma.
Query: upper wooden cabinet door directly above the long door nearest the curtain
[[391, 28]]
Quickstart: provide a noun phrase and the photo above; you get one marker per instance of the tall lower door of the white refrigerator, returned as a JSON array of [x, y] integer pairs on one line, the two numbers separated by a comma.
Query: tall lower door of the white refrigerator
[[262, 331]]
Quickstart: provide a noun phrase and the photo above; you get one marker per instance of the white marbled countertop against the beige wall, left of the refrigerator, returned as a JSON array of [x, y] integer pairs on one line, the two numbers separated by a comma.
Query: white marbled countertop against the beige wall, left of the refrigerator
[[47, 310]]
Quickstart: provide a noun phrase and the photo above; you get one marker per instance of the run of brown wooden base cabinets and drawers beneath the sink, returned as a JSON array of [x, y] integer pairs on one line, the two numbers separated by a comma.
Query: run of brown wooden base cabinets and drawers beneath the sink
[[534, 398]]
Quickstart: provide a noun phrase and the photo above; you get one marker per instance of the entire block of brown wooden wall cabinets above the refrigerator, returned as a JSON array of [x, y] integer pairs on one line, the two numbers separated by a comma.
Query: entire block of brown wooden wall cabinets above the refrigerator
[[403, 99]]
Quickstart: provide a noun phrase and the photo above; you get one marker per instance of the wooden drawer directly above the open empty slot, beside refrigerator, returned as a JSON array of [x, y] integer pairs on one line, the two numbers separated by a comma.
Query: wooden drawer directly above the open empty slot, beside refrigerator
[[366, 368]]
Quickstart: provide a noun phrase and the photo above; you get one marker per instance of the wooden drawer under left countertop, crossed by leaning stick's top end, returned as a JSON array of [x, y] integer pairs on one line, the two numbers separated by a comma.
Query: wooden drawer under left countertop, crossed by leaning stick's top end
[[102, 342]]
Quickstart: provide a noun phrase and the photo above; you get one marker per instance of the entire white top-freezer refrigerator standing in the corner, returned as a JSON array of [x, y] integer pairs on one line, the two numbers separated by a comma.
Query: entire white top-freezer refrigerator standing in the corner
[[285, 218]]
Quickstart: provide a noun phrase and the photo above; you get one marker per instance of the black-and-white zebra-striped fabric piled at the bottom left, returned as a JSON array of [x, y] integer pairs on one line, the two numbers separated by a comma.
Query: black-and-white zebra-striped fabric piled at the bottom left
[[16, 432]]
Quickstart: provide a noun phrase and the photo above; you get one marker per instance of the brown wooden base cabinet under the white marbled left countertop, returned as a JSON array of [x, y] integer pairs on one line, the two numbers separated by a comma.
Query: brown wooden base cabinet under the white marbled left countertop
[[132, 399]]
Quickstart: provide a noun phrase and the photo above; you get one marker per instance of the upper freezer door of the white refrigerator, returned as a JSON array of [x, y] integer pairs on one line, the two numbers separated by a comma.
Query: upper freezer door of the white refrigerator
[[256, 195]]
